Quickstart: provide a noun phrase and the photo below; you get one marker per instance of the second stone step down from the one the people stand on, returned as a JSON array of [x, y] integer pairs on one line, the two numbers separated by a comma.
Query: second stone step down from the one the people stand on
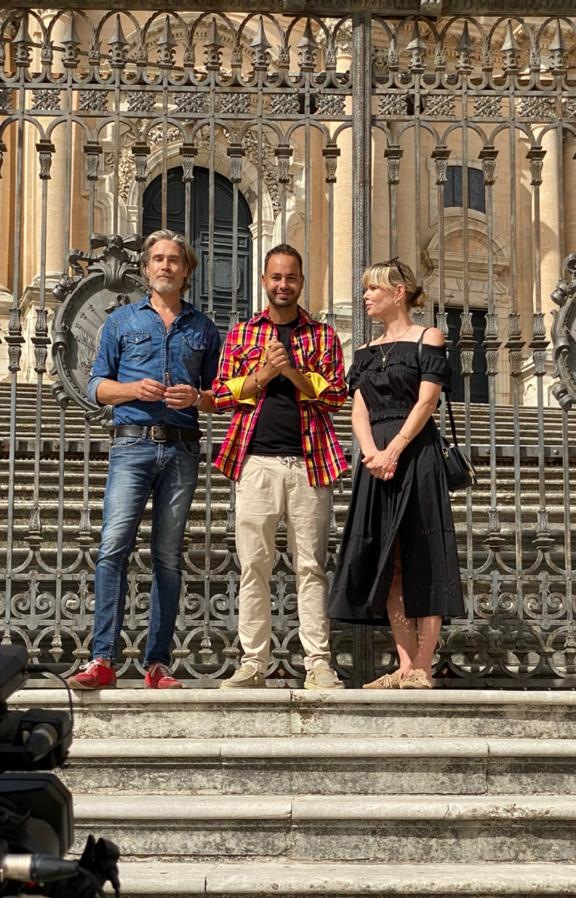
[[327, 766]]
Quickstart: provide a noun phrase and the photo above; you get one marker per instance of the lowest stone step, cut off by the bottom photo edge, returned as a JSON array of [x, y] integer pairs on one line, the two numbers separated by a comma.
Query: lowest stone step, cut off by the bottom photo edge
[[450, 880]]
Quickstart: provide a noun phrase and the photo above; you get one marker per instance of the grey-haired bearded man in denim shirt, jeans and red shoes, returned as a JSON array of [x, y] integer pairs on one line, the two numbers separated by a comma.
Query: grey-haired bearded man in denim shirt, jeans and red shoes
[[155, 364]]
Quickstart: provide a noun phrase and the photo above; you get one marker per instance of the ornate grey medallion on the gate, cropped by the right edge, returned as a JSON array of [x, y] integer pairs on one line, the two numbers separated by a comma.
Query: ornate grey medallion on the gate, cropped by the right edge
[[564, 336]]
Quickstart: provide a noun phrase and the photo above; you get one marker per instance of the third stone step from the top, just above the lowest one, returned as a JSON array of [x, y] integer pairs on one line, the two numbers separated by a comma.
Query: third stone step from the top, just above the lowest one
[[399, 829]]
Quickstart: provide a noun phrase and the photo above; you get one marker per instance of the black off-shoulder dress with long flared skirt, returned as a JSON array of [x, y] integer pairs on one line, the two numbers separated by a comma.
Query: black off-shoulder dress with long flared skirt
[[413, 508]]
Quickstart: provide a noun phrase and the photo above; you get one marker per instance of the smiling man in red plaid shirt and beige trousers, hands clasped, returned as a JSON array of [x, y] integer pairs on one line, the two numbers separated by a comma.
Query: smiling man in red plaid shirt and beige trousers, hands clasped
[[282, 375]]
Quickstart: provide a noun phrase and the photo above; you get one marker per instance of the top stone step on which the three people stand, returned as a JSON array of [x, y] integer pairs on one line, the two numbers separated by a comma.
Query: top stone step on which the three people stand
[[273, 712]]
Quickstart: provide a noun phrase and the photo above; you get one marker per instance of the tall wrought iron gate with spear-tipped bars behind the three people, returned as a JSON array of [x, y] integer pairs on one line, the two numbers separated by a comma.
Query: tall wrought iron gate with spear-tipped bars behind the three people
[[449, 141]]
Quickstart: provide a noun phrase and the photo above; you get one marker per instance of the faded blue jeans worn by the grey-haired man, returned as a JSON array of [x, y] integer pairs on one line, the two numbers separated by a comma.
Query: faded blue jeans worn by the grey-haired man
[[140, 467]]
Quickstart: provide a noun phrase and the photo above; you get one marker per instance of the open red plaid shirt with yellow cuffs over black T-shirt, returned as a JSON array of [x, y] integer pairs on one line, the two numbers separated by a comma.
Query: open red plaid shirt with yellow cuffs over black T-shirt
[[317, 352]]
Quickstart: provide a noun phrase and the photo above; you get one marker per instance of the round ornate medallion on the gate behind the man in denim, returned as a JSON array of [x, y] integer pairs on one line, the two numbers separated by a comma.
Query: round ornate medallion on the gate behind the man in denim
[[111, 279]]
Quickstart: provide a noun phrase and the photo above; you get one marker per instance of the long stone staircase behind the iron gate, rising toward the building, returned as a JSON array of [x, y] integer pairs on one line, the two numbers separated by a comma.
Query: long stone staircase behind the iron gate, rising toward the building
[[50, 514]]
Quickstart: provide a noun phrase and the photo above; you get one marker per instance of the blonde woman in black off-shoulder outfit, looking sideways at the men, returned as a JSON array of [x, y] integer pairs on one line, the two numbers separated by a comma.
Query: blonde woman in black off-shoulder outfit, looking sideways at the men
[[398, 563]]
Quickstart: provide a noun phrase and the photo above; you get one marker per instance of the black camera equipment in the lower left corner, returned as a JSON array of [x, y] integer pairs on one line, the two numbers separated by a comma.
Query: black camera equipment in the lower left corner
[[36, 812]]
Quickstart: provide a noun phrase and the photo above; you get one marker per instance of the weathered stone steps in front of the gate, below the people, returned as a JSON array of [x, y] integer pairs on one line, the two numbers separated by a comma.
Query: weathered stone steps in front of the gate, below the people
[[286, 792]]
